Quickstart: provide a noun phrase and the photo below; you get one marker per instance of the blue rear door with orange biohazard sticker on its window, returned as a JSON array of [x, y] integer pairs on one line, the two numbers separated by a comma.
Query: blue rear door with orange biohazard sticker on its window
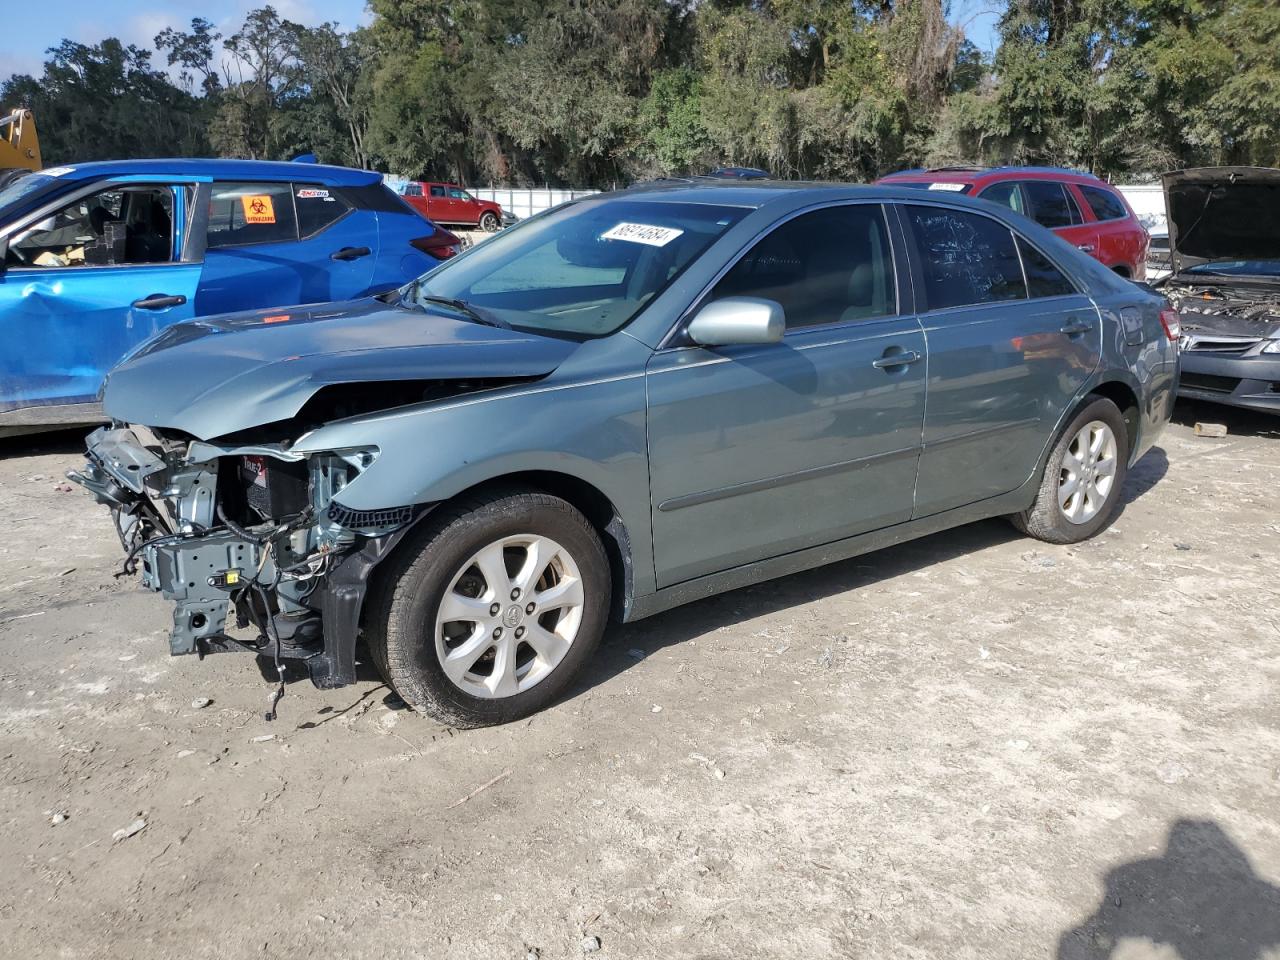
[[276, 245]]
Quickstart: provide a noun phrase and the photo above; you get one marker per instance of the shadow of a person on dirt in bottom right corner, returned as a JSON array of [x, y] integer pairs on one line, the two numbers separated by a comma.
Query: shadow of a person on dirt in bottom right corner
[[1200, 898]]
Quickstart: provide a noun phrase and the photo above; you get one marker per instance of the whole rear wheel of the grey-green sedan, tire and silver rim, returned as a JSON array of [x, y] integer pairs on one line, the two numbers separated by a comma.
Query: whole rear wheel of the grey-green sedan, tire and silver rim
[[1081, 488]]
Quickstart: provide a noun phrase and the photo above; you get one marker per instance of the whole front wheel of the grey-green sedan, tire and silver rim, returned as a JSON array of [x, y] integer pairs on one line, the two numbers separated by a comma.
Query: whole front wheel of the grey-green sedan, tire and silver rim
[[493, 609]]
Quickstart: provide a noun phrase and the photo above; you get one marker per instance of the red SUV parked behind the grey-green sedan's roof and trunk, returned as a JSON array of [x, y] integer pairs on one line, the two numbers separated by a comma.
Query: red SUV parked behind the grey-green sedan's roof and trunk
[[1078, 207]]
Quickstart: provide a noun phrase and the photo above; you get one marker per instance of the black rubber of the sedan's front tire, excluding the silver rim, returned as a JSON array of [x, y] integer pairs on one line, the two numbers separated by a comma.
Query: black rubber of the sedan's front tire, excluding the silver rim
[[403, 616]]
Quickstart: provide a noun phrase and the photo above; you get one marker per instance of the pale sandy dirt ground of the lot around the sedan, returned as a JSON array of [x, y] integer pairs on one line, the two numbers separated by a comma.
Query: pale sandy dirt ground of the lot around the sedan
[[970, 747]]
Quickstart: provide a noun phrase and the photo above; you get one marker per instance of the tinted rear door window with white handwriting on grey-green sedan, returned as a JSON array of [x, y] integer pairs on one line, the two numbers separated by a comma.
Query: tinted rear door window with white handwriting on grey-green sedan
[[967, 258]]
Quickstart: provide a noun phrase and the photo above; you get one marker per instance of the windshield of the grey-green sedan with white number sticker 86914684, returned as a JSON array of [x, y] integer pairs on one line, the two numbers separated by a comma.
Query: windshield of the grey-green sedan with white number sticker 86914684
[[582, 271]]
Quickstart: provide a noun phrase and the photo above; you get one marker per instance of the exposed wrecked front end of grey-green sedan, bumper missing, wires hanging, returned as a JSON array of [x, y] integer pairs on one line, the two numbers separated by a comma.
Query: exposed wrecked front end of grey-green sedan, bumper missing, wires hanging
[[250, 534]]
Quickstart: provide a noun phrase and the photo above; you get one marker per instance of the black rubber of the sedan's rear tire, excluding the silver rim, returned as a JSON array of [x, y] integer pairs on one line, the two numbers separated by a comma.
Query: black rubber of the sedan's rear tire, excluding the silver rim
[[1046, 520]]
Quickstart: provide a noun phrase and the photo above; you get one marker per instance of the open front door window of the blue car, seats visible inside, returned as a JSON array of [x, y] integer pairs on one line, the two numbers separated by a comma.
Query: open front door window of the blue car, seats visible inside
[[116, 227]]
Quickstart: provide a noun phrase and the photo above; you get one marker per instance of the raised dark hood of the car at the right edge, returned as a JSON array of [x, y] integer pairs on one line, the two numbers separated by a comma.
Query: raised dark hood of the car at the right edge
[[1223, 213]]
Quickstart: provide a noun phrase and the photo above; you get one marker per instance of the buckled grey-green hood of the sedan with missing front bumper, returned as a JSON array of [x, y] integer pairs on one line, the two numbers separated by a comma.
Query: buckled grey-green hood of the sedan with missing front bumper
[[223, 374]]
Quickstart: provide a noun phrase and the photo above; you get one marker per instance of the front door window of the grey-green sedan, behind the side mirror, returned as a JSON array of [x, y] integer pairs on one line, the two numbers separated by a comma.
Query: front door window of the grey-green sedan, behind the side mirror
[[828, 267]]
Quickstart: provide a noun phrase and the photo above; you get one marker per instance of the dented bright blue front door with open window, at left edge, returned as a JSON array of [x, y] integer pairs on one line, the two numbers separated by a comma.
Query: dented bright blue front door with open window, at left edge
[[88, 280]]
